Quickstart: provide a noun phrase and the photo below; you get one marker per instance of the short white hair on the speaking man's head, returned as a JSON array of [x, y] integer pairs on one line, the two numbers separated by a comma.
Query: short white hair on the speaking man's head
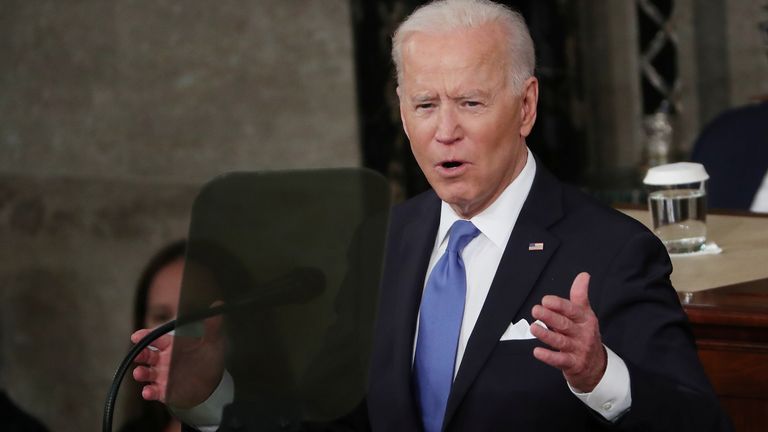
[[442, 16]]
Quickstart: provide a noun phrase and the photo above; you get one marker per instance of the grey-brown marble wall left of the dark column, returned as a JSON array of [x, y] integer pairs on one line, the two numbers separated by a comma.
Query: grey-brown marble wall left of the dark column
[[112, 114]]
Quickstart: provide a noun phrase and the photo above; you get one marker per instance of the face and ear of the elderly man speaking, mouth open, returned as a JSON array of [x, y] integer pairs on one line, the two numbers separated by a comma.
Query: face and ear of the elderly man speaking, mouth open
[[467, 126]]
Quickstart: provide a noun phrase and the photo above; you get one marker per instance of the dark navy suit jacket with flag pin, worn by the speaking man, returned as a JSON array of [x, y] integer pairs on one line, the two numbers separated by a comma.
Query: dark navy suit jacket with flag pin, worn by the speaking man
[[500, 385]]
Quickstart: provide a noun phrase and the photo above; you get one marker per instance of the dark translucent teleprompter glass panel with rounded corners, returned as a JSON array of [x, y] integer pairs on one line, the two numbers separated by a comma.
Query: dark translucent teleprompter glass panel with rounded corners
[[295, 257]]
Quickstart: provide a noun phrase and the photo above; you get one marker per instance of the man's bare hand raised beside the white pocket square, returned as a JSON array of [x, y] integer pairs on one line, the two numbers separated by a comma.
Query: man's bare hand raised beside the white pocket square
[[574, 333]]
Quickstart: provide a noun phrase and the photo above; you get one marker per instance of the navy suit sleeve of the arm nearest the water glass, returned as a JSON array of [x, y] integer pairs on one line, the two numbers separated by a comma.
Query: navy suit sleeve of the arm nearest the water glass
[[643, 322]]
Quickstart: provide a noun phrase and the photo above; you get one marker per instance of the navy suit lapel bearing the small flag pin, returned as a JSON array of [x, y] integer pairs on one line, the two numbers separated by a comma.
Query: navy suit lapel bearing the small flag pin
[[515, 278]]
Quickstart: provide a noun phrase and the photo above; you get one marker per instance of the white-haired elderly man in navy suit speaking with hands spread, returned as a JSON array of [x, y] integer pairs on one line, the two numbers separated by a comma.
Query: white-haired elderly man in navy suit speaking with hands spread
[[499, 244]]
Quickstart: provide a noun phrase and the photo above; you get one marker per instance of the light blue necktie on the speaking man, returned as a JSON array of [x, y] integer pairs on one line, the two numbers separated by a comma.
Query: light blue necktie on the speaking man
[[441, 312]]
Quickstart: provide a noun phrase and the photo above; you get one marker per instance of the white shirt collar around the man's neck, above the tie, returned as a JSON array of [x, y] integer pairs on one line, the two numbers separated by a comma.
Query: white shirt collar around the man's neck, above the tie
[[497, 221]]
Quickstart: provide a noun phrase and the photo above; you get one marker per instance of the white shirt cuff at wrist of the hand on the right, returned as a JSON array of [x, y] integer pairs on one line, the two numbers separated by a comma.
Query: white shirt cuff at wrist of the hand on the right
[[612, 396]]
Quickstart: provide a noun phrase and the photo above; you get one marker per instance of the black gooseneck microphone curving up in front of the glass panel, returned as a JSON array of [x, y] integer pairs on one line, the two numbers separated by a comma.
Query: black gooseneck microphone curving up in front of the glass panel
[[295, 287]]
